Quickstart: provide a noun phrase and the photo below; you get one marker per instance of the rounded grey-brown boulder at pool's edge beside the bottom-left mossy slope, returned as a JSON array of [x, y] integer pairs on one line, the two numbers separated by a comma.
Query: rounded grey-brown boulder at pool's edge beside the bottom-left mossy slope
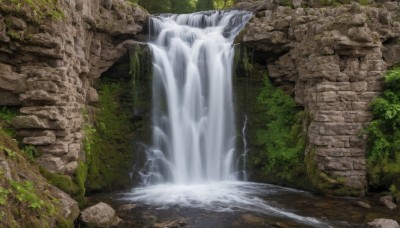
[[99, 215]]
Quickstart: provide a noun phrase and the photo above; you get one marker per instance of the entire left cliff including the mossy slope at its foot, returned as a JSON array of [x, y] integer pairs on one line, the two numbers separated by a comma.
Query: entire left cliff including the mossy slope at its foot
[[51, 55]]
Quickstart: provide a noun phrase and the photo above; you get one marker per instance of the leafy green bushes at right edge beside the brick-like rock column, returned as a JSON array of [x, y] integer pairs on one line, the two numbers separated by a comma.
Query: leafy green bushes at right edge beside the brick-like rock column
[[384, 136]]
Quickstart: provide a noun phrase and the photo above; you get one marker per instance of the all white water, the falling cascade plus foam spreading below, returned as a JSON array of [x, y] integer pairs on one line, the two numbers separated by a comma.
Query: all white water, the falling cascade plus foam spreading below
[[192, 162]]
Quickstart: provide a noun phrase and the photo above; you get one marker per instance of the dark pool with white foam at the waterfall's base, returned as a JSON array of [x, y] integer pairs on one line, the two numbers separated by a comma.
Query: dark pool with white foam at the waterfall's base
[[239, 204]]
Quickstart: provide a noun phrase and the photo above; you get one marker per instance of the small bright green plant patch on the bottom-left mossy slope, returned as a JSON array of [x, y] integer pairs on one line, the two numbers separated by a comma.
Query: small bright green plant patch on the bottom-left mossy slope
[[25, 193]]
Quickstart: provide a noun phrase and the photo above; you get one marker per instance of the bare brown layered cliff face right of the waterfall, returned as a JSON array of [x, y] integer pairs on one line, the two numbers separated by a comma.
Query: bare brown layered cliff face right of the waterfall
[[332, 60]]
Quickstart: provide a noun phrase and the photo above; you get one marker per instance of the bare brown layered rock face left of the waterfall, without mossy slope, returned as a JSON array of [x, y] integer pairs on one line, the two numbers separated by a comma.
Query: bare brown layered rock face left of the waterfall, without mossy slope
[[48, 66]]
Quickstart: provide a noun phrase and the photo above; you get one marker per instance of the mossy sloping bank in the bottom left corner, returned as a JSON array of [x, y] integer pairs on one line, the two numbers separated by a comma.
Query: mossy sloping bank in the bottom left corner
[[28, 202]]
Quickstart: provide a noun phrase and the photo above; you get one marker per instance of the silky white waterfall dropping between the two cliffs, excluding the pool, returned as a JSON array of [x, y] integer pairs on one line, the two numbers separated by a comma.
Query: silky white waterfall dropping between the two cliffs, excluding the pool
[[193, 119]]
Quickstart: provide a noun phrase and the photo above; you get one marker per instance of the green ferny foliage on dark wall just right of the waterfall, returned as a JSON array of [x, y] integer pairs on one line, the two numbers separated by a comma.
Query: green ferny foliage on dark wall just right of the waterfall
[[283, 137]]
